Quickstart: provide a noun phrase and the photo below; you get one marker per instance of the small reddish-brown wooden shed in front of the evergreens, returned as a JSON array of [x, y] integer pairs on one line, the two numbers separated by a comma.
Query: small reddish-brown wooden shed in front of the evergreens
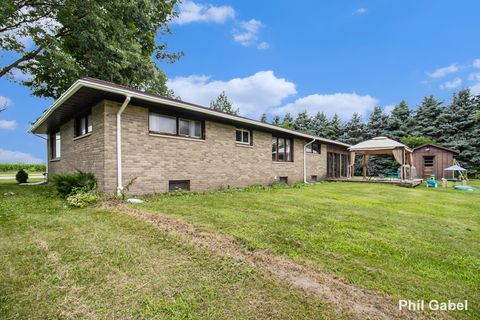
[[433, 159]]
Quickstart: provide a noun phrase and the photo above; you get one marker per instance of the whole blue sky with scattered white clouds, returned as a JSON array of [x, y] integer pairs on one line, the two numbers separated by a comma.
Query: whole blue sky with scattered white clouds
[[284, 56]]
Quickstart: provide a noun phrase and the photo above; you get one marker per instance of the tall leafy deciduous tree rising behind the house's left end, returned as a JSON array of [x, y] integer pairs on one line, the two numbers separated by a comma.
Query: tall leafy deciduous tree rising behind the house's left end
[[59, 41]]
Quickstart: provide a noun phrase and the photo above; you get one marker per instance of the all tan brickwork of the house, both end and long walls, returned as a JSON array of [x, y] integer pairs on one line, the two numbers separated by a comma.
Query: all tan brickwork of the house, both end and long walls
[[153, 160]]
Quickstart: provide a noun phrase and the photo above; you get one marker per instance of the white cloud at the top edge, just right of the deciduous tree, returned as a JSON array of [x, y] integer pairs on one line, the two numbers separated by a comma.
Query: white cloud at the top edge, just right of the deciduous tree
[[189, 12]]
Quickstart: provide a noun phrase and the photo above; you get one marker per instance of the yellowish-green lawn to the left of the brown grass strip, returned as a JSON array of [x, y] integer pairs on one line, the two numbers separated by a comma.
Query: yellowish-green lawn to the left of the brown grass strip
[[60, 263]]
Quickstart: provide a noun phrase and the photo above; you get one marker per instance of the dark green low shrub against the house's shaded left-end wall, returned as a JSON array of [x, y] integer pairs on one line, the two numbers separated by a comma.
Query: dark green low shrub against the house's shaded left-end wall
[[65, 183]]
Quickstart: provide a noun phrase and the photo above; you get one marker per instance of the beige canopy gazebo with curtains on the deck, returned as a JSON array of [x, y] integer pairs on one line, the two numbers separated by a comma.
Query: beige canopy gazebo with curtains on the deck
[[382, 145]]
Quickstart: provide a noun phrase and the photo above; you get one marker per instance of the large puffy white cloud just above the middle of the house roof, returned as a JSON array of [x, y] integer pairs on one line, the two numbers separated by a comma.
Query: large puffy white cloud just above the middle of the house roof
[[254, 94]]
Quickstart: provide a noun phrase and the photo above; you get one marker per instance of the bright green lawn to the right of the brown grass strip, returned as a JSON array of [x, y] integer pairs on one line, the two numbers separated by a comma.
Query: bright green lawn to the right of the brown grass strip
[[402, 243]]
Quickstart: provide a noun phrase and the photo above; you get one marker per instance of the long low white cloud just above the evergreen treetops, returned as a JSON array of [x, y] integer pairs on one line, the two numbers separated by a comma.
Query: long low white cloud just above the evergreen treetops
[[343, 104]]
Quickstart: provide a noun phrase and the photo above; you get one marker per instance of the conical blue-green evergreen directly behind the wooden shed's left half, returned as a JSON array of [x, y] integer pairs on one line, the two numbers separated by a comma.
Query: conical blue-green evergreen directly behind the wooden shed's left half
[[427, 119]]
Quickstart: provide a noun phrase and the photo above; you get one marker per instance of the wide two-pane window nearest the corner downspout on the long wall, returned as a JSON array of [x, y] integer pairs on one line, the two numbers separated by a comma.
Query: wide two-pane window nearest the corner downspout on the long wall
[[159, 123]]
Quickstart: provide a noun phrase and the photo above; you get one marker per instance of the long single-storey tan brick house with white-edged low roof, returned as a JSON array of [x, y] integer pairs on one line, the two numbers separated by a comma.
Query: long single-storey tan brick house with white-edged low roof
[[120, 134]]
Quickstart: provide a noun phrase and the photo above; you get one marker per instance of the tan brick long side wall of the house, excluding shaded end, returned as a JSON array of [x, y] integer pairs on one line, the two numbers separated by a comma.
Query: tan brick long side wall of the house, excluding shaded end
[[216, 162]]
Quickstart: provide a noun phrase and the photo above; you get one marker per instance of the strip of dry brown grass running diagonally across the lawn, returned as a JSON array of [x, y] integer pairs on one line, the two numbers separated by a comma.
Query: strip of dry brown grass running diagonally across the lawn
[[343, 296]]
